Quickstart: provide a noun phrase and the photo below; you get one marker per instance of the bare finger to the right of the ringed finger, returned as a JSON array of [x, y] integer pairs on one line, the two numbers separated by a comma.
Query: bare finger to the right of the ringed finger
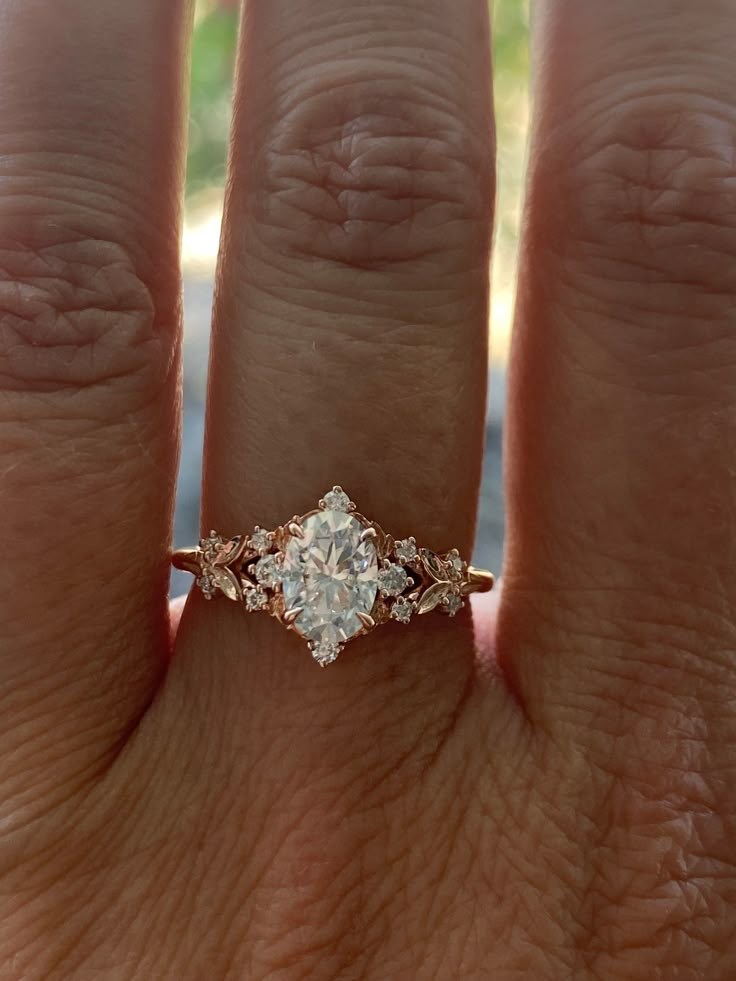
[[622, 400]]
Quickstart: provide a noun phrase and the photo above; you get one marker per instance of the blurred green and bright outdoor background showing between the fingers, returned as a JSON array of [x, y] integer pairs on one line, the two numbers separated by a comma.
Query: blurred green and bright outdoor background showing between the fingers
[[211, 85]]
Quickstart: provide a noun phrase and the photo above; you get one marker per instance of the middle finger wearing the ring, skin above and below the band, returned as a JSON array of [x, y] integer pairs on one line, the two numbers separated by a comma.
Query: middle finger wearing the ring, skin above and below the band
[[350, 330]]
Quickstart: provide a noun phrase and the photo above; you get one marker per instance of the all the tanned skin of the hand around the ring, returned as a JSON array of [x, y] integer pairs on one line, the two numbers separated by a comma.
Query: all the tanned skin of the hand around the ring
[[544, 791]]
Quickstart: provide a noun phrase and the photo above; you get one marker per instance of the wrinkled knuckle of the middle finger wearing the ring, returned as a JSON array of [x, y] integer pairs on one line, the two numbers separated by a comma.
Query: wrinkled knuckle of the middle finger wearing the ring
[[374, 172]]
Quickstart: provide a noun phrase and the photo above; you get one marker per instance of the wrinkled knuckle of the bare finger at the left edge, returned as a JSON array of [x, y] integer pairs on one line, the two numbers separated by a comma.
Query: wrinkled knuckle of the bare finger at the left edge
[[76, 315]]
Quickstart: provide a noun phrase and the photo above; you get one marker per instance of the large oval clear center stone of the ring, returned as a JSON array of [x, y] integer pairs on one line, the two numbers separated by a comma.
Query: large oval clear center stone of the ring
[[331, 575]]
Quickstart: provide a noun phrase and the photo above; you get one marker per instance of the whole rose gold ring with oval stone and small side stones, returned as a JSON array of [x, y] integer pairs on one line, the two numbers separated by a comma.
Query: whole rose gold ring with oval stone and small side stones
[[347, 575]]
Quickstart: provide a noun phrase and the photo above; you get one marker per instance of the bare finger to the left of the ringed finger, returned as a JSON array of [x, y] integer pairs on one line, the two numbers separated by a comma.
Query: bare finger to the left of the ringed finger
[[90, 178]]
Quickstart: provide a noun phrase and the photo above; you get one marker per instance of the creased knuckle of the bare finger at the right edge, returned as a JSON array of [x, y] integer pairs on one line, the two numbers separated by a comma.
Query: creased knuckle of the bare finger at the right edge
[[652, 195]]
